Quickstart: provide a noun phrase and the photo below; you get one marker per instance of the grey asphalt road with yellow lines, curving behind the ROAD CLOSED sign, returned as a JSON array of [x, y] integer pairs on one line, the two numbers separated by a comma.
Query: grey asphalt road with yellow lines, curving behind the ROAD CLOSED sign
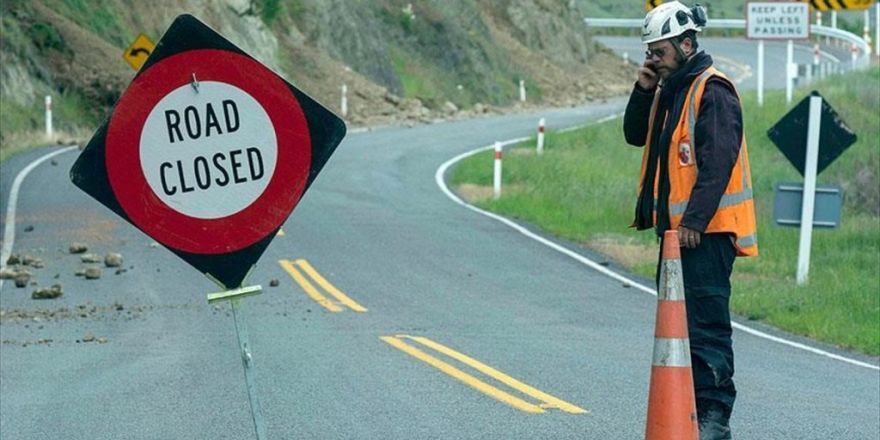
[[467, 329]]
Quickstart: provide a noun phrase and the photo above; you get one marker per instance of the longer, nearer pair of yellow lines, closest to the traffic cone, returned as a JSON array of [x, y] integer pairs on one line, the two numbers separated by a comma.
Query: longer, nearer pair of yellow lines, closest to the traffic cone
[[547, 401]]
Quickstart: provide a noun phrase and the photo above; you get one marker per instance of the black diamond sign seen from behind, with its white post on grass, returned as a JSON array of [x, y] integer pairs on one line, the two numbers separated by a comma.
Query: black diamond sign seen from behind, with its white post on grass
[[811, 136]]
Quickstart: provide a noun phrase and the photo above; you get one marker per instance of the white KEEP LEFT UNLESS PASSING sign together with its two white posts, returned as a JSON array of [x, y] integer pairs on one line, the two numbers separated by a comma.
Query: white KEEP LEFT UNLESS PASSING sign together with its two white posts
[[777, 21]]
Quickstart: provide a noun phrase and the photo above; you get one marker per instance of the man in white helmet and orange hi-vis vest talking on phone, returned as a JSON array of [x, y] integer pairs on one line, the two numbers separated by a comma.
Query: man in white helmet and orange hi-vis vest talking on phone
[[695, 179]]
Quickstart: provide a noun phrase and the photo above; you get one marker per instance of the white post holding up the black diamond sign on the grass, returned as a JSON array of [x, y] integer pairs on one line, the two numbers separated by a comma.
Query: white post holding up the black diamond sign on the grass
[[809, 198]]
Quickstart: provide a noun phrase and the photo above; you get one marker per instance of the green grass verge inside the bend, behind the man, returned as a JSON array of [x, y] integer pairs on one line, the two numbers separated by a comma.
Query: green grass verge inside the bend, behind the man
[[584, 188]]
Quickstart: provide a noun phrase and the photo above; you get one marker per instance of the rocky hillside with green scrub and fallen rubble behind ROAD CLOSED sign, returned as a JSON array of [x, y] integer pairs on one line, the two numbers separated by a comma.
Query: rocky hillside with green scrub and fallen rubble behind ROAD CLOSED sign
[[400, 61]]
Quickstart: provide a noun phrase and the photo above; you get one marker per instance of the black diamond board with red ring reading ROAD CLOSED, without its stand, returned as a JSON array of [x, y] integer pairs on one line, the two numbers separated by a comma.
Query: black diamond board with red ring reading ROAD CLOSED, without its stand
[[208, 151]]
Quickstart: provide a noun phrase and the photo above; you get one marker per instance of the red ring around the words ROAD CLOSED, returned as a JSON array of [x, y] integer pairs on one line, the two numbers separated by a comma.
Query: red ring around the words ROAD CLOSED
[[198, 235]]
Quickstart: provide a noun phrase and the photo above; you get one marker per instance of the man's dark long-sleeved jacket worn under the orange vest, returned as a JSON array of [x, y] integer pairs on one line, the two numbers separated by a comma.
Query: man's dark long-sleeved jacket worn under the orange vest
[[719, 133]]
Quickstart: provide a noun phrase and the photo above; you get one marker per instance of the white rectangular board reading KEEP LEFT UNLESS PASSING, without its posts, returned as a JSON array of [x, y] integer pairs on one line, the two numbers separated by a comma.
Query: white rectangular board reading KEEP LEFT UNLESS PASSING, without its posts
[[777, 20]]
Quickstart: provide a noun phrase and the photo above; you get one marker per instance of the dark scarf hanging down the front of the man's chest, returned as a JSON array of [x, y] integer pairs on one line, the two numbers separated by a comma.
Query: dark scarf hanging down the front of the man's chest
[[673, 92]]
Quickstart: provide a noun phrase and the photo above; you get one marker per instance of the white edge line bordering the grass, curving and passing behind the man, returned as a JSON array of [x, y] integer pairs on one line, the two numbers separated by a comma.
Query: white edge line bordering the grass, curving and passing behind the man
[[439, 178]]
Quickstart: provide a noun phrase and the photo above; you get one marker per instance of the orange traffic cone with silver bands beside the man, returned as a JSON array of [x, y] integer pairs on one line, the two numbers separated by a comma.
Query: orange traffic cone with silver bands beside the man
[[672, 412]]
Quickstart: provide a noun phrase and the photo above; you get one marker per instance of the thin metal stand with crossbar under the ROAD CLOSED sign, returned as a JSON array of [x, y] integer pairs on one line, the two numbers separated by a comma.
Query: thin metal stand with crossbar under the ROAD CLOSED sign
[[234, 297]]
